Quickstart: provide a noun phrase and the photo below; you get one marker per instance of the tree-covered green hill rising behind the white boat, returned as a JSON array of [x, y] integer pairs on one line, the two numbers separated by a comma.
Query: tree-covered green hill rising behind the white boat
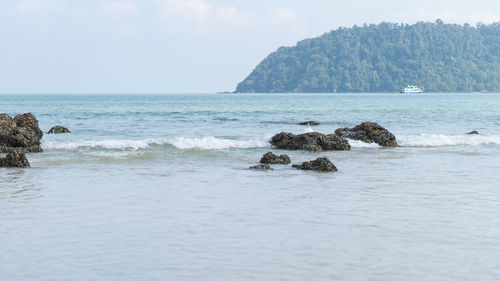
[[384, 58]]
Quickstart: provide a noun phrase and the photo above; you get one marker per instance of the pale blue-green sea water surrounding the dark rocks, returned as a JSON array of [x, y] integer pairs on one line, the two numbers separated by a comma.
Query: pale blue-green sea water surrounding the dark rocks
[[157, 187]]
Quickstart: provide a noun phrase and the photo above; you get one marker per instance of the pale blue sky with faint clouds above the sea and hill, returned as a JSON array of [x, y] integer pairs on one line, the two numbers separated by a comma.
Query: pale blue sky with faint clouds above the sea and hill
[[179, 46]]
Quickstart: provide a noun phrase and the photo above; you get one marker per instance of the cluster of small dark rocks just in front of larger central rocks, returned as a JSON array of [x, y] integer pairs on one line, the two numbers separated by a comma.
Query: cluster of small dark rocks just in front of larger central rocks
[[322, 164]]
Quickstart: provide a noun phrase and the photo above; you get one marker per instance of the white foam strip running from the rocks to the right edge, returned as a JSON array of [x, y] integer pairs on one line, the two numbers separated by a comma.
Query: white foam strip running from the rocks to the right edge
[[429, 140]]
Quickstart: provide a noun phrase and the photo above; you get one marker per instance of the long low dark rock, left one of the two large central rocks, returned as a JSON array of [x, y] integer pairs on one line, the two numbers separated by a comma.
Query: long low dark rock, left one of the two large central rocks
[[309, 141]]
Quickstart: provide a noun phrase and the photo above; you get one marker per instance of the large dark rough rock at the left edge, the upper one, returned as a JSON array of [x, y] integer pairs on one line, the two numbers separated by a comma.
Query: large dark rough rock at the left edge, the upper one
[[20, 133]]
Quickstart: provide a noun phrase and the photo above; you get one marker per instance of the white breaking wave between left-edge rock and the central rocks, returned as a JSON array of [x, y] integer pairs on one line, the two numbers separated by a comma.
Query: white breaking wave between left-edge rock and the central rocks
[[209, 143]]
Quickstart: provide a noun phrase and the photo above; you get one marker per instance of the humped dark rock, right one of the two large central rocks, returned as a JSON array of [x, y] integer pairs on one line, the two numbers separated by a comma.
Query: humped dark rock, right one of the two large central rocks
[[369, 132]]
